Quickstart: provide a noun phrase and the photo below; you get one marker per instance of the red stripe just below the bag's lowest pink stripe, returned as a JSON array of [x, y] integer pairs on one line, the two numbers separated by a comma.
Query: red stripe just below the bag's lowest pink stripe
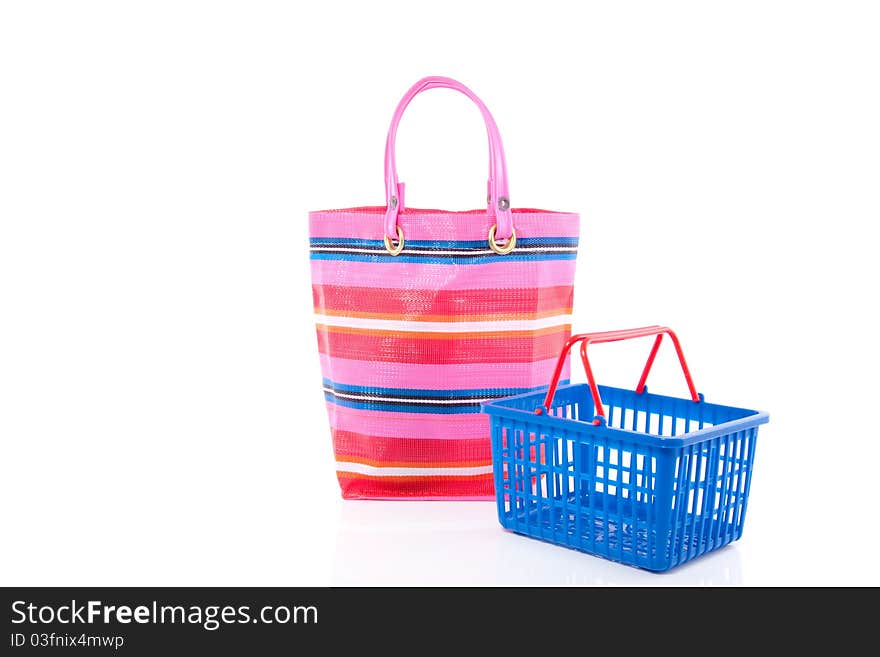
[[414, 451]]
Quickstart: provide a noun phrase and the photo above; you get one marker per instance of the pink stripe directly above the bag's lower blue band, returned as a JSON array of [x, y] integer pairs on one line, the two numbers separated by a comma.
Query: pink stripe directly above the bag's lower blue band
[[439, 377]]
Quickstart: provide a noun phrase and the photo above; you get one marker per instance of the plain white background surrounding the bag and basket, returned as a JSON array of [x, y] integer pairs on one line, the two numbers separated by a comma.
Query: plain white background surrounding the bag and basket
[[161, 416]]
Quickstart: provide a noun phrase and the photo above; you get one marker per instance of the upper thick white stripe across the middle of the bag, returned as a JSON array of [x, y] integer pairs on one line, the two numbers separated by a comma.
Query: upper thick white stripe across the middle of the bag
[[443, 327]]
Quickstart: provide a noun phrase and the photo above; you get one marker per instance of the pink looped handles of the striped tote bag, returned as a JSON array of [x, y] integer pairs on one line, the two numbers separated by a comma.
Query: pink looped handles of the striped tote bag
[[498, 195]]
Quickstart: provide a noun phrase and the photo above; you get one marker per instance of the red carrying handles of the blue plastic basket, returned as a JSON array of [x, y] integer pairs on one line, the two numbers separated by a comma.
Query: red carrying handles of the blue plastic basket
[[614, 336]]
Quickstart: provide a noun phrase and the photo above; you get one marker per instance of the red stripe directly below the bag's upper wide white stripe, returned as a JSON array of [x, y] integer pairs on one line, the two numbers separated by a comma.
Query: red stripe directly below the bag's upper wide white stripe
[[402, 349]]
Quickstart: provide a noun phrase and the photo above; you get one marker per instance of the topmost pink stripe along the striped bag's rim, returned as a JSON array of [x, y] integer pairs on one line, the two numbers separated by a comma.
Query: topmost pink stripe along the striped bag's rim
[[442, 225]]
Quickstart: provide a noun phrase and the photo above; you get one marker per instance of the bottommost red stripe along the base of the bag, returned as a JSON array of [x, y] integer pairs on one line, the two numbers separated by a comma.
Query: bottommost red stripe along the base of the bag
[[359, 487]]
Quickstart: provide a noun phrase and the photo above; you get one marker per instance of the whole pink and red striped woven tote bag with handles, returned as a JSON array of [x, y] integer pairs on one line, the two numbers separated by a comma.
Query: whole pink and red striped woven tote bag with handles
[[423, 314]]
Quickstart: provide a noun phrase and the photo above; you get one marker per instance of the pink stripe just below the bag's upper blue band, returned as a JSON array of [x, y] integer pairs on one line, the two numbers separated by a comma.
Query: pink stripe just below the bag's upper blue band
[[424, 276]]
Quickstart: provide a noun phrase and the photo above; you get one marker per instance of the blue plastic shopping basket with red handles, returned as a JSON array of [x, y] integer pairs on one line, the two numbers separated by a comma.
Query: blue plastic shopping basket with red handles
[[647, 480]]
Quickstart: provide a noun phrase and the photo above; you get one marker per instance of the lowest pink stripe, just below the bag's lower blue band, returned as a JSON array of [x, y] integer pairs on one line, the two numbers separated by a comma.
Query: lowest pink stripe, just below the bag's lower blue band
[[408, 425]]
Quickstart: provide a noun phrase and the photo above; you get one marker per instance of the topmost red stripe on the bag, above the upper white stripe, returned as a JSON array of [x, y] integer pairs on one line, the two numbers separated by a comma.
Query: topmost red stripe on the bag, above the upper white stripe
[[416, 303]]
